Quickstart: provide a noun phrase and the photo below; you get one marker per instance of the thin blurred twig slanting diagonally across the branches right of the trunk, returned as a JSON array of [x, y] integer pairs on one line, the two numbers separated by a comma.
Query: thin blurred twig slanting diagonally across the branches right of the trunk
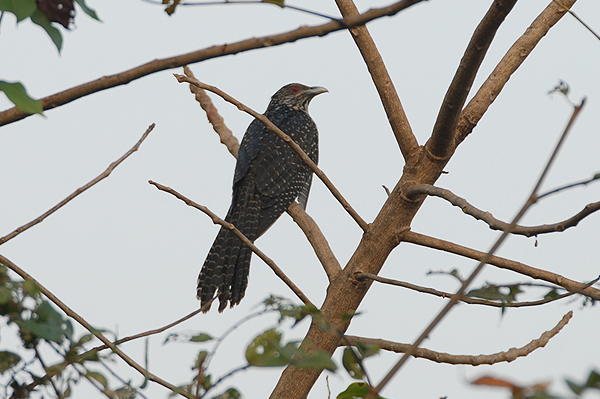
[[456, 297]]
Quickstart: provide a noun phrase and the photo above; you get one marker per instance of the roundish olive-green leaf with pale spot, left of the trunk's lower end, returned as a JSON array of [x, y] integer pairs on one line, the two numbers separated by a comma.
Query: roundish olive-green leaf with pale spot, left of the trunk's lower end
[[266, 351]]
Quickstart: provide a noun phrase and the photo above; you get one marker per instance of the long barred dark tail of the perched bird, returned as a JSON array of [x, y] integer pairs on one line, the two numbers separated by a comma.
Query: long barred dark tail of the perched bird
[[227, 265]]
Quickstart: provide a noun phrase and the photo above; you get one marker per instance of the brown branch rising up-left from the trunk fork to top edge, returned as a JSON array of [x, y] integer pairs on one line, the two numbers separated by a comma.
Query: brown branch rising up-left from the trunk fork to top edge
[[383, 83]]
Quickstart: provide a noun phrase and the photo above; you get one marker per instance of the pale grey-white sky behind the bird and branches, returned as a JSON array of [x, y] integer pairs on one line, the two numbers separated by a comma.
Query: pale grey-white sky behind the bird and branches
[[126, 257]]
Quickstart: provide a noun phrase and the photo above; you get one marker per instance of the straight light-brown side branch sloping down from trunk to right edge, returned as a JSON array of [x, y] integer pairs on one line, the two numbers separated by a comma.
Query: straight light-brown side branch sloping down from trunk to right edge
[[503, 263]]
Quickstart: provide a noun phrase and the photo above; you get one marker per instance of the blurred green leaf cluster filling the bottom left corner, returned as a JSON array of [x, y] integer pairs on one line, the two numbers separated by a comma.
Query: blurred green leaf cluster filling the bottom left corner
[[40, 325]]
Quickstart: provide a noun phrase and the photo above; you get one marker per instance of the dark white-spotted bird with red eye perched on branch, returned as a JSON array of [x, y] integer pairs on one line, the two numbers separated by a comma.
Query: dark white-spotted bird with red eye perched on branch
[[269, 176]]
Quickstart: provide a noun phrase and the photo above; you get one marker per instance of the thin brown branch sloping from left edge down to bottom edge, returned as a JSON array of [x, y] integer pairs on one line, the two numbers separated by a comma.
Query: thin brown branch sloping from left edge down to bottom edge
[[69, 312]]
